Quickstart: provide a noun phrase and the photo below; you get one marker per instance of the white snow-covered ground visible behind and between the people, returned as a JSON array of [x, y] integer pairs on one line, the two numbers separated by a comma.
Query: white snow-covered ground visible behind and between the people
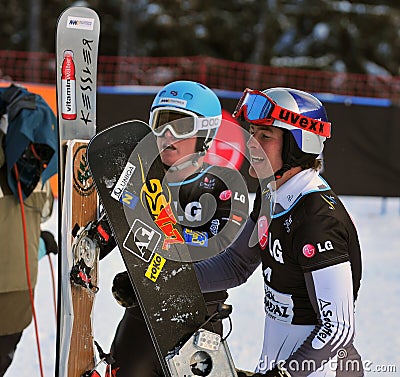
[[377, 308]]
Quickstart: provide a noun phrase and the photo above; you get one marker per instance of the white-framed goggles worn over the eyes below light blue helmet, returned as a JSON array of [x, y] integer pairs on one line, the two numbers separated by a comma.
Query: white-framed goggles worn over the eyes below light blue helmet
[[181, 123]]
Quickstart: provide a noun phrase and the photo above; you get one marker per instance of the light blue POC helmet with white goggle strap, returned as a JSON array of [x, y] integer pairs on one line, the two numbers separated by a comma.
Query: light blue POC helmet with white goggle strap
[[191, 99]]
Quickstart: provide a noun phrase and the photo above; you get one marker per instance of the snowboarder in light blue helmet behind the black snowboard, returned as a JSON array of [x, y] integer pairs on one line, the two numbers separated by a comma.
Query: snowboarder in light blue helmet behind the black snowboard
[[185, 117]]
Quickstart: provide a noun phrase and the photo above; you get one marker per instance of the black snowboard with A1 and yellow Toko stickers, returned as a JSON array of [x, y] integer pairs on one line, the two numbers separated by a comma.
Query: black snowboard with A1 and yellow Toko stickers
[[129, 178]]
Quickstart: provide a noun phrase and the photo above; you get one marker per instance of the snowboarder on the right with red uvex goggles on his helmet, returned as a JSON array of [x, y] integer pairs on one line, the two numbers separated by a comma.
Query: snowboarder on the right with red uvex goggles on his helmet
[[302, 235]]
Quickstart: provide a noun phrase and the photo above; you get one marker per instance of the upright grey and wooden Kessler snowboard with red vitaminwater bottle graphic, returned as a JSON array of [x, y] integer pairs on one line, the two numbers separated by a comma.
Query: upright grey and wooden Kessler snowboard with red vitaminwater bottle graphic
[[77, 38]]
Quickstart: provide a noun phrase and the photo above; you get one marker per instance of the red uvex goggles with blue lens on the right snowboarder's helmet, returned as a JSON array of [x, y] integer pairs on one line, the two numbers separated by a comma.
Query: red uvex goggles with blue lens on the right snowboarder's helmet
[[257, 108]]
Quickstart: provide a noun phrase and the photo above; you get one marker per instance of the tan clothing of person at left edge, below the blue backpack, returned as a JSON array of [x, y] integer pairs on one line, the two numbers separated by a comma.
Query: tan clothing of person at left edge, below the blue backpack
[[15, 305]]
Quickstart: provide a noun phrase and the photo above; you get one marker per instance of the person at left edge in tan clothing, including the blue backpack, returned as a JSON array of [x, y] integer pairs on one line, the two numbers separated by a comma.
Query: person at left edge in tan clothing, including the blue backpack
[[28, 145]]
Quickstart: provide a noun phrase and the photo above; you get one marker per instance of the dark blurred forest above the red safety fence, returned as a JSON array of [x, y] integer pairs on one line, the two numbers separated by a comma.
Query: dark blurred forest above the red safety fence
[[343, 36]]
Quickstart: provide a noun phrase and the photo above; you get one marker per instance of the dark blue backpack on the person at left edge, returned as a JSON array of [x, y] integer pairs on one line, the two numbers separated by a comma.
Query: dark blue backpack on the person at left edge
[[31, 139]]
